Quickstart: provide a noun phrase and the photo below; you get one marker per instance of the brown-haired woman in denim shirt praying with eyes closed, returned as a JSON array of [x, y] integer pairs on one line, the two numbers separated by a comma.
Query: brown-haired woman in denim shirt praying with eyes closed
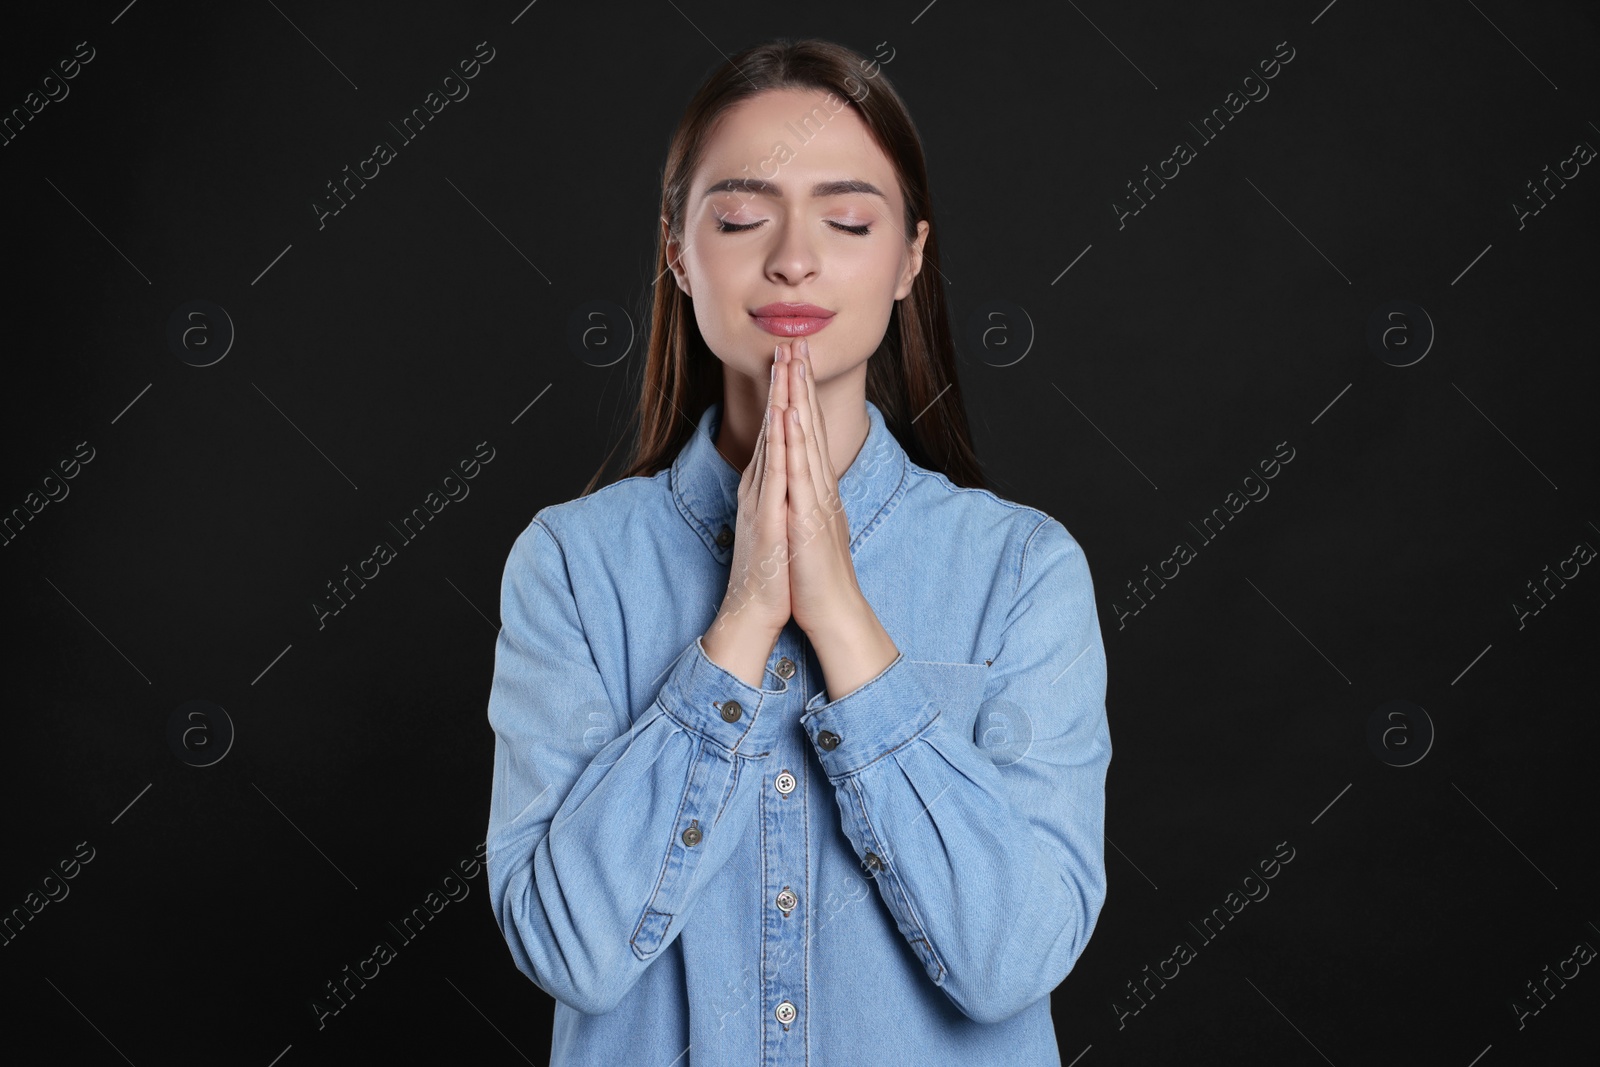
[[801, 733]]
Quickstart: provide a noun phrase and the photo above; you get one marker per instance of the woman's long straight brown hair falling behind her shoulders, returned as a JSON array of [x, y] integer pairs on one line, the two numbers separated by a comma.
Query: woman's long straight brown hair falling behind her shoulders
[[914, 367]]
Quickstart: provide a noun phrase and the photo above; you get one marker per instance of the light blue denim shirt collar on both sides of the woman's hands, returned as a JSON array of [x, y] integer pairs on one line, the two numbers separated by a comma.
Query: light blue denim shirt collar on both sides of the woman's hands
[[706, 487]]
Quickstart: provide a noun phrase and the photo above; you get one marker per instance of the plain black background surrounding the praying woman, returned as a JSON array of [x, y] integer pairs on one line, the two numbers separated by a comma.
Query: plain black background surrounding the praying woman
[[1174, 356]]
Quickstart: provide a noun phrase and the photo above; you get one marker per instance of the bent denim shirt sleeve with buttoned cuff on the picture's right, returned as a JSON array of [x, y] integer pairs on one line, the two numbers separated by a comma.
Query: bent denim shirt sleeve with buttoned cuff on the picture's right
[[988, 857]]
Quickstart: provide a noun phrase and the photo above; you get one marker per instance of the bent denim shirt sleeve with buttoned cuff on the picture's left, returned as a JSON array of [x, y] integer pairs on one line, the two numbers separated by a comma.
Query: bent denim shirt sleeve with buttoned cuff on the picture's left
[[602, 831]]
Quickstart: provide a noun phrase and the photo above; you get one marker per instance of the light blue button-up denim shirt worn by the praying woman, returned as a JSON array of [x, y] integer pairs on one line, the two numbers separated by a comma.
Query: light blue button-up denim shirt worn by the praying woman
[[703, 873]]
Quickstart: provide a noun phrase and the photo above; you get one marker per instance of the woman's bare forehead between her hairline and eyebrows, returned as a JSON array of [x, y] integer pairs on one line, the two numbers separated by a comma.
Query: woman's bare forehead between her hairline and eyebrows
[[794, 138]]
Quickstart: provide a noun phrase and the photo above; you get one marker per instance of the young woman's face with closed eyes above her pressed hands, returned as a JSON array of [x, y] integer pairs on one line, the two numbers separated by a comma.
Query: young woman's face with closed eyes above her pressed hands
[[778, 239]]
